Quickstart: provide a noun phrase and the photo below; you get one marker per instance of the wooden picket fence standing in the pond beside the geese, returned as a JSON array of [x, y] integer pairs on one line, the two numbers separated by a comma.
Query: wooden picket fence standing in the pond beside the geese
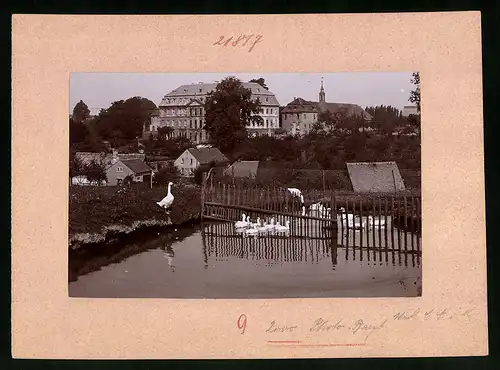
[[385, 221]]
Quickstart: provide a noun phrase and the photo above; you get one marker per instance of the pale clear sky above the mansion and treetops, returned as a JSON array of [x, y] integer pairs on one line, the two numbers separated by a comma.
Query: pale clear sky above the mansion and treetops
[[99, 90]]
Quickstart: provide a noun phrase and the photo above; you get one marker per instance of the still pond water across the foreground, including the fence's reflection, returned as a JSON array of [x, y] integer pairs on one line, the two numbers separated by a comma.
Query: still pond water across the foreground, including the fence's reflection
[[214, 262]]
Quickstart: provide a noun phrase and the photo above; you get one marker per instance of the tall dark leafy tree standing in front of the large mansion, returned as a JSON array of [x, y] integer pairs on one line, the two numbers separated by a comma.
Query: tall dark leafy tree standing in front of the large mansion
[[229, 109]]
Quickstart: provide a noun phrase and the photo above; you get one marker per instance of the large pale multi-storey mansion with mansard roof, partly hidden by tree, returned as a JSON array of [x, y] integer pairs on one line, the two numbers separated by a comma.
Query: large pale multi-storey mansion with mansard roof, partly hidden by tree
[[183, 110]]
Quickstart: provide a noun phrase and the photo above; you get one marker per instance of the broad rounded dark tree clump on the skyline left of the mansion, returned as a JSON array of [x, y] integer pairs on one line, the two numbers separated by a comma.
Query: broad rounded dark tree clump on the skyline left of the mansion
[[124, 120]]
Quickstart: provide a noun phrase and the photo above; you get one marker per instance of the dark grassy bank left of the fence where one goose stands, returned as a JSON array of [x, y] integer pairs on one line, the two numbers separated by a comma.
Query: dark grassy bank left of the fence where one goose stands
[[98, 213]]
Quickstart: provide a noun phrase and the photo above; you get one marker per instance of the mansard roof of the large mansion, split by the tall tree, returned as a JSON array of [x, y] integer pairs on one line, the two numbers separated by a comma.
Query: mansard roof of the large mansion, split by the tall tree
[[186, 92]]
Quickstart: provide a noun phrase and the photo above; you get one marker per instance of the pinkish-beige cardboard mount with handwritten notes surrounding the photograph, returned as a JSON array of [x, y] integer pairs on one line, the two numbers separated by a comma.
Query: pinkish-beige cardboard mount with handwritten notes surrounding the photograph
[[451, 316]]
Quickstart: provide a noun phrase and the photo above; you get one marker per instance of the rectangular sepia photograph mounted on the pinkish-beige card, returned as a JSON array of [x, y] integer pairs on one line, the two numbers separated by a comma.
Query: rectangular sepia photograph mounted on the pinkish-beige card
[[244, 185]]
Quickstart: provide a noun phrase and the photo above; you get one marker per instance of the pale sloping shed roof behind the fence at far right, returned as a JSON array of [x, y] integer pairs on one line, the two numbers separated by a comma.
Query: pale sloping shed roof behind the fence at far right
[[383, 177]]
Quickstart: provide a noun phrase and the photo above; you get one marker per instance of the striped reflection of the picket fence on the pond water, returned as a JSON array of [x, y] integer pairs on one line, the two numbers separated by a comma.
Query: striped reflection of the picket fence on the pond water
[[221, 241]]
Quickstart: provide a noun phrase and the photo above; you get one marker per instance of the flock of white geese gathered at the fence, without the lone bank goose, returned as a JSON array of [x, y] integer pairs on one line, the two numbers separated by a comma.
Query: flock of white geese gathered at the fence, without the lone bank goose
[[270, 227]]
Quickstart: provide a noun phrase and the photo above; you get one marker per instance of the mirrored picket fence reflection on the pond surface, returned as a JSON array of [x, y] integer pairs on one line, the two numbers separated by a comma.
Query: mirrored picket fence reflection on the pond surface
[[221, 242]]
